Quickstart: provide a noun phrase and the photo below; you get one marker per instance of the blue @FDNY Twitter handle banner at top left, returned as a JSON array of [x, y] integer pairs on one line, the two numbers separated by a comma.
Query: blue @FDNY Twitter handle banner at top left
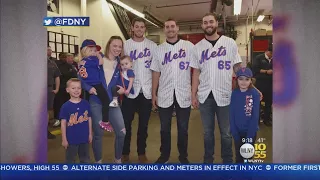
[[66, 21]]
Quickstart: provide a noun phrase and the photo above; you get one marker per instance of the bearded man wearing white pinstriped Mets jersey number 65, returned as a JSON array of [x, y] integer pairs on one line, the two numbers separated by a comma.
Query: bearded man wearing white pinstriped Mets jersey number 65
[[214, 60]]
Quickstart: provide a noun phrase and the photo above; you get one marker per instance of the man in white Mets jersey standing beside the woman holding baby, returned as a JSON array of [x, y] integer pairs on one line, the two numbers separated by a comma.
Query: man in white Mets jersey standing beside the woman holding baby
[[141, 51]]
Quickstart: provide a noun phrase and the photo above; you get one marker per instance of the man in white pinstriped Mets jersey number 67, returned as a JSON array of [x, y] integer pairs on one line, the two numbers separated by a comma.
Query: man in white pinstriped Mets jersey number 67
[[171, 87]]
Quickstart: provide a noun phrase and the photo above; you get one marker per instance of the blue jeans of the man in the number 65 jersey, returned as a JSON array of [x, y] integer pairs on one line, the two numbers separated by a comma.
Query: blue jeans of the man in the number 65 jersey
[[207, 111]]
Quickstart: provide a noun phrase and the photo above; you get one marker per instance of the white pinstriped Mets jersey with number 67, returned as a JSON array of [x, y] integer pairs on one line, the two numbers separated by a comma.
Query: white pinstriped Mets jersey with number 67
[[173, 61]]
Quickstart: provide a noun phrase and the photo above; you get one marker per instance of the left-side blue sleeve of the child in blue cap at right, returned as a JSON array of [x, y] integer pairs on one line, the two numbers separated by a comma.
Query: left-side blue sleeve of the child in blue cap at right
[[232, 117]]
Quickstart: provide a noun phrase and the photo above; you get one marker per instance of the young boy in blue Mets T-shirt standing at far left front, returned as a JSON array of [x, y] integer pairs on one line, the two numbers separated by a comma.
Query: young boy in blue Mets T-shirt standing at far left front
[[76, 124]]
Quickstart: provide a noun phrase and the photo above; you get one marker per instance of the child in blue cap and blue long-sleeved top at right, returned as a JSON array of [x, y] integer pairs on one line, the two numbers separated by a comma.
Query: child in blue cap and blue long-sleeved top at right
[[244, 111]]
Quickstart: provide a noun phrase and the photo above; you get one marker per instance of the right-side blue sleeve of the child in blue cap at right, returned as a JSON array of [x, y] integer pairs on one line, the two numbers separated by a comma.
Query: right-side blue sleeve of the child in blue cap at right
[[253, 127]]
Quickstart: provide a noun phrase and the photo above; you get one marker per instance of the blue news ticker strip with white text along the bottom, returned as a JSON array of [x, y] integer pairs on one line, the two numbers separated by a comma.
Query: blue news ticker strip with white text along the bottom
[[155, 167]]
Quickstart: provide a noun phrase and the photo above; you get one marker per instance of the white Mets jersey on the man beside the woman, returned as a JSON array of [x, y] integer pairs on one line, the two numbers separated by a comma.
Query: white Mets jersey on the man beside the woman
[[141, 54]]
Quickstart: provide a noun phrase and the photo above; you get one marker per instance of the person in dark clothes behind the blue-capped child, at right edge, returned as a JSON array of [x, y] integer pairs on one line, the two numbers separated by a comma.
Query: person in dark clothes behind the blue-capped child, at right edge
[[262, 68]]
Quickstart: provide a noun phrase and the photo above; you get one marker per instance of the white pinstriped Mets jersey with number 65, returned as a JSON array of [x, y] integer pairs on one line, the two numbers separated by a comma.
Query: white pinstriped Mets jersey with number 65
[[216, 68]]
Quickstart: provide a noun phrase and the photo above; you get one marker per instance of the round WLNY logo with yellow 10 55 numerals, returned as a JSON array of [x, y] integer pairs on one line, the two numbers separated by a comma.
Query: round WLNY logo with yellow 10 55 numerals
[[258, 151]]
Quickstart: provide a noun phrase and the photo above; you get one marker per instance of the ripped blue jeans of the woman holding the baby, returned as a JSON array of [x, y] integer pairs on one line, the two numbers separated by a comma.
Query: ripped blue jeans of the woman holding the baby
[[116, 120]]
